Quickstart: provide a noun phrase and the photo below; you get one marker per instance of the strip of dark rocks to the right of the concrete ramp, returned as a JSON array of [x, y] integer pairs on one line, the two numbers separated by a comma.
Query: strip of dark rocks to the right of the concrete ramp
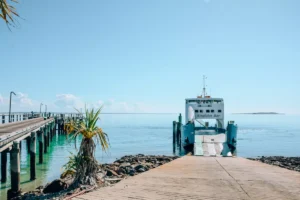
[[291, 163]]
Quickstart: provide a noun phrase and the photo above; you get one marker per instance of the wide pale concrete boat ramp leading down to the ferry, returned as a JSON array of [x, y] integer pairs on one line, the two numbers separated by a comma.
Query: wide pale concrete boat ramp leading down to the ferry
[[206, 178]]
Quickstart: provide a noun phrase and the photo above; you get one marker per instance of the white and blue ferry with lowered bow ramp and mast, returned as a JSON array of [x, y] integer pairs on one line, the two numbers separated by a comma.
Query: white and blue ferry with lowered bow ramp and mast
[[202, 138]]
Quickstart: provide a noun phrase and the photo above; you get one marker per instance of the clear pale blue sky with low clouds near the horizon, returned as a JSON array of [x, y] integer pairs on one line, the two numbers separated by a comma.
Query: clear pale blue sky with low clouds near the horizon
[[149, 56]]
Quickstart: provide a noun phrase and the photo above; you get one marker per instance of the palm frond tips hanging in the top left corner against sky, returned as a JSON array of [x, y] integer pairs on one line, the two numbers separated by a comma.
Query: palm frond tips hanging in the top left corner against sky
[[7, 12]]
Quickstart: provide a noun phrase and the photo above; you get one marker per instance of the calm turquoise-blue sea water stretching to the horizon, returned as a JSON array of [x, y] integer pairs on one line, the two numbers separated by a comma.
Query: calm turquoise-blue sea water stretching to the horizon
[[152, 134]]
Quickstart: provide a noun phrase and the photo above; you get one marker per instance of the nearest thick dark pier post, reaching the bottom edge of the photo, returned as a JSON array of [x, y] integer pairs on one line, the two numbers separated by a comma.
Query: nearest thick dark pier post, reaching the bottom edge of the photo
[[14, 171]]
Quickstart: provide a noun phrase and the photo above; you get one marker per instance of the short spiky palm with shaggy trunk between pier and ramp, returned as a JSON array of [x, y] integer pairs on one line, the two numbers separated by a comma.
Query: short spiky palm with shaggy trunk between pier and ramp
[[86, 164]]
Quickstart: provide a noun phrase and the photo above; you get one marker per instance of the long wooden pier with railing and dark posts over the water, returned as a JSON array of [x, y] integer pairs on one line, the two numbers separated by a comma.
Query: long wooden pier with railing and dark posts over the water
[[41, 130]]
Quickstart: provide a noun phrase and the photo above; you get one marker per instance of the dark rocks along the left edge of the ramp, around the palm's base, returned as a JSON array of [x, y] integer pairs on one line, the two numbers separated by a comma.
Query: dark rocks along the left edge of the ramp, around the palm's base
[[108, 175]]
